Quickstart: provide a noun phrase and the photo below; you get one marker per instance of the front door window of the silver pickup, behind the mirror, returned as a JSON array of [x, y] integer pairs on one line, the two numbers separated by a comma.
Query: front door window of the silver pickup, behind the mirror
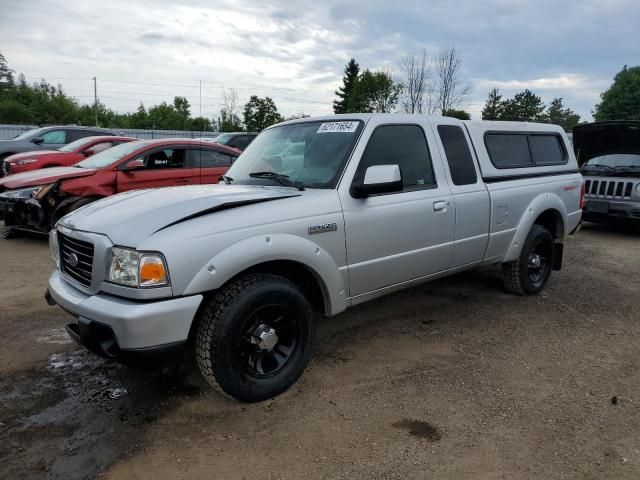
[[402, 145]]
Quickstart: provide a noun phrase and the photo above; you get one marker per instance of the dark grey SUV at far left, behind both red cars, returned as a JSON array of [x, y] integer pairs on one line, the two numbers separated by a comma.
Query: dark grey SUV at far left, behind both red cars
[[47, 138]]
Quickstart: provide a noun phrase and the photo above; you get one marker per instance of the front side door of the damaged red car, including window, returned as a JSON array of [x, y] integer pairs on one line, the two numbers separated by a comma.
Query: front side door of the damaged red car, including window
[[161, 167]]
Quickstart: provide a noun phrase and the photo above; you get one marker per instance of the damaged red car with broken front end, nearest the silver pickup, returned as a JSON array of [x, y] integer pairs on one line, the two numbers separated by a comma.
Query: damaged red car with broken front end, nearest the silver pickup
[[36, 200]]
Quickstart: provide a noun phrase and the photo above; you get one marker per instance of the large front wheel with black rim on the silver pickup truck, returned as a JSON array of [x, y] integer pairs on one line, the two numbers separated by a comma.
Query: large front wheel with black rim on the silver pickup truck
[[254, 338]]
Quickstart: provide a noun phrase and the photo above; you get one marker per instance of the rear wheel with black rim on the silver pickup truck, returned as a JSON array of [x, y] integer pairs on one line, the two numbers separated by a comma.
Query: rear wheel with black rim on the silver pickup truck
[[531, 272]]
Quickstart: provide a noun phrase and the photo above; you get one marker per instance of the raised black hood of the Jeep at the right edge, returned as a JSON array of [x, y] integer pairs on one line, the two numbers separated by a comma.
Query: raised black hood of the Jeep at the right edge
[[606, 138]]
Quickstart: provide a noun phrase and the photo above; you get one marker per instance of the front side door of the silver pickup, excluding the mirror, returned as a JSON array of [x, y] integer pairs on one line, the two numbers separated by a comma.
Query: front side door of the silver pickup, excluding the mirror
[[393, 238]]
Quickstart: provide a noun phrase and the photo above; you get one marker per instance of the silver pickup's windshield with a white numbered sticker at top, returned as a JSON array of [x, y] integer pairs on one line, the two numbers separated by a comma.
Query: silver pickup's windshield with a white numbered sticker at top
[[309, 154]]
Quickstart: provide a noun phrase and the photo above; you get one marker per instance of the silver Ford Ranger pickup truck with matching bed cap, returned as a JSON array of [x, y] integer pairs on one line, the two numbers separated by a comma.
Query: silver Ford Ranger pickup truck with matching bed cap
[[317, 215]]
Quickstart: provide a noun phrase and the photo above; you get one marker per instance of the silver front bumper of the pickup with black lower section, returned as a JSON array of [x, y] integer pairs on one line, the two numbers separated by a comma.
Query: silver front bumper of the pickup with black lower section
[[114, 327]]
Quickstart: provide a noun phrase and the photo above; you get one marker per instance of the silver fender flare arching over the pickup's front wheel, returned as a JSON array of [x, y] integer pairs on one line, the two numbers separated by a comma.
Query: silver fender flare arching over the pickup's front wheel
[[259, 249]]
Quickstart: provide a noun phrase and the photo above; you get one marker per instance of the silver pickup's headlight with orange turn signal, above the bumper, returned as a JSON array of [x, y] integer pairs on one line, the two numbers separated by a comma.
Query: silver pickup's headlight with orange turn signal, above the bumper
[[137, 269]]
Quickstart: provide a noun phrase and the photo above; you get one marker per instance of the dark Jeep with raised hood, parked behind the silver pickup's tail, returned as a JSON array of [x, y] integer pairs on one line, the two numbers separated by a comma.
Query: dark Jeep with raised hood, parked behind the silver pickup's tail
[[609, 157]]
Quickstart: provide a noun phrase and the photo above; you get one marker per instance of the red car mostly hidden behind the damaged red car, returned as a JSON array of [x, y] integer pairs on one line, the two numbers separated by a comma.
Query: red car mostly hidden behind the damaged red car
[[65, 156]]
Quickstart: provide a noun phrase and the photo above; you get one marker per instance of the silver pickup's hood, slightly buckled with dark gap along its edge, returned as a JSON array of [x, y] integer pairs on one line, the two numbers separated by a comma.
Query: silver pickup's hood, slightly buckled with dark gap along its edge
[[129, 218]]
